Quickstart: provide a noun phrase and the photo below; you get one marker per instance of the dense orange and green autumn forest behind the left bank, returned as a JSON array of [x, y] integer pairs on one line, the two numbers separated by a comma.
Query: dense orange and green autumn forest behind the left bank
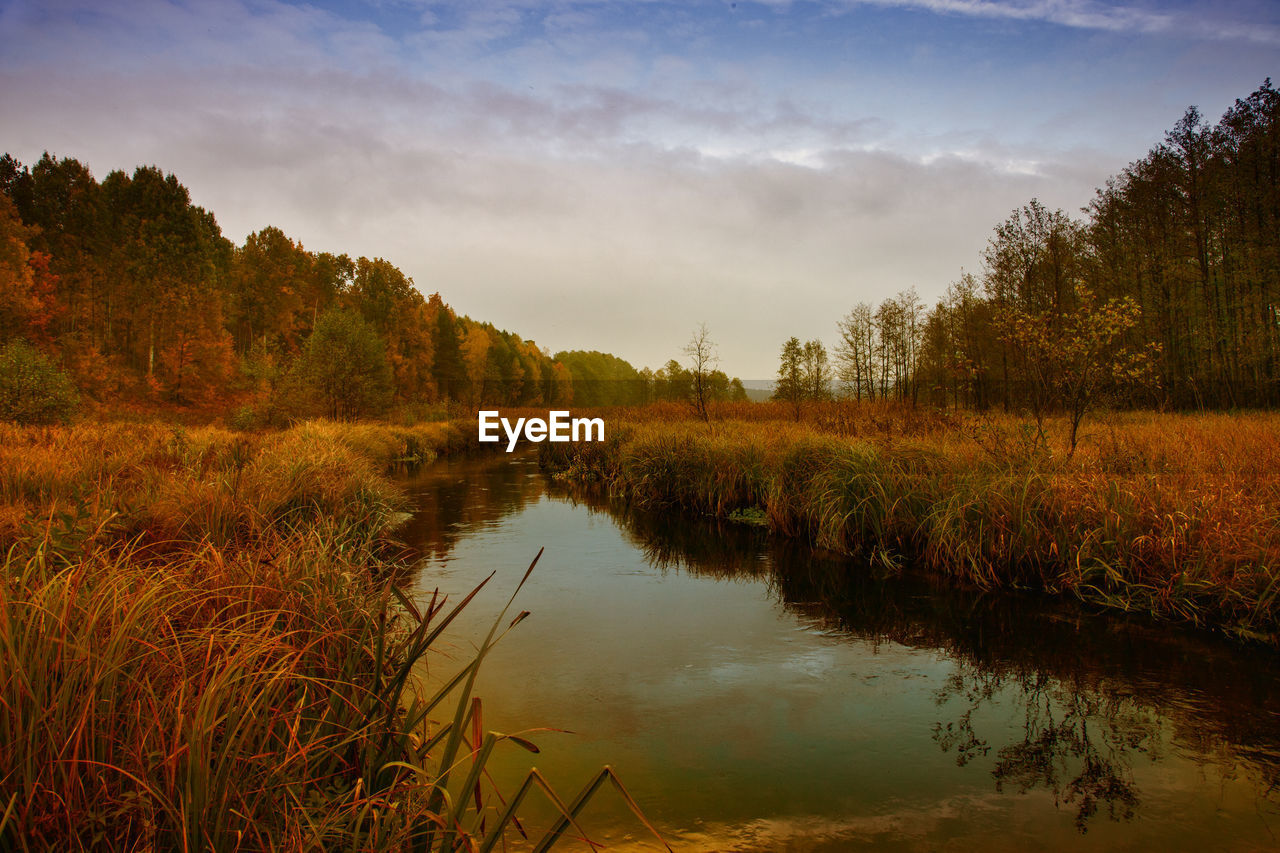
[[135, 293]]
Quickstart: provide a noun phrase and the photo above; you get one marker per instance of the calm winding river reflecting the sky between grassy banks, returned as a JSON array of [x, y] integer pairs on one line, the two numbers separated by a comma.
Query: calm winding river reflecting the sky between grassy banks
[[757, 696]]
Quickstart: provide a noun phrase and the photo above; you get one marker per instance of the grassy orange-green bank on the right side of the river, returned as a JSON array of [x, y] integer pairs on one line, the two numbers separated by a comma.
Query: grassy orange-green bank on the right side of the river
[[1173, 516]]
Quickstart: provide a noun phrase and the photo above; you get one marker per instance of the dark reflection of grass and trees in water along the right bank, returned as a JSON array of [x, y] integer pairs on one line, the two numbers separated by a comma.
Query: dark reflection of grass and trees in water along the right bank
[[1091, 695]]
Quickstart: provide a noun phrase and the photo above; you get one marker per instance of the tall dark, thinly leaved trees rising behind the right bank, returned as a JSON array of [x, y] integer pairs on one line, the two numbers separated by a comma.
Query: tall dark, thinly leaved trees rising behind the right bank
[[1165, 294]]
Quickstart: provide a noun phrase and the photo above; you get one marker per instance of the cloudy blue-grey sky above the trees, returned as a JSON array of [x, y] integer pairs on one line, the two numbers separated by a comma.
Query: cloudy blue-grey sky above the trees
[[609, 175]]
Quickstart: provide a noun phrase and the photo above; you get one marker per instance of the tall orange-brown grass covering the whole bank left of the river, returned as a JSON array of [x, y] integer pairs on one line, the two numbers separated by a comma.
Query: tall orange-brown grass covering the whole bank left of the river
[[203, 647]]
